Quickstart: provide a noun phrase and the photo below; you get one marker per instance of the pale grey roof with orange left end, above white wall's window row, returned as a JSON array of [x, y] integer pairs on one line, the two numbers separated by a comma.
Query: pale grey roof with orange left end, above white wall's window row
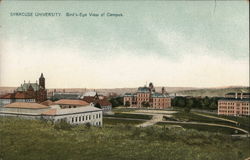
[[71, 110]]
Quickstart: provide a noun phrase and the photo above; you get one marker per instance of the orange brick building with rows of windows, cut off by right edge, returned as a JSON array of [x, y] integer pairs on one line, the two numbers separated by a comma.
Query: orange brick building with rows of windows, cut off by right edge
[[236, 106]]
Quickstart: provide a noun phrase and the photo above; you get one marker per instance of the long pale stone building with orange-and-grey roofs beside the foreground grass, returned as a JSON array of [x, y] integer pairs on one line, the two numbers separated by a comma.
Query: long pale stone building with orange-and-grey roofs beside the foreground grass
[[80, 115]]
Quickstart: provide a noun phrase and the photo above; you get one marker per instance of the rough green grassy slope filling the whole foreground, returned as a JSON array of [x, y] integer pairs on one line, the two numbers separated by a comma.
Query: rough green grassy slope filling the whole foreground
[[34, 139]]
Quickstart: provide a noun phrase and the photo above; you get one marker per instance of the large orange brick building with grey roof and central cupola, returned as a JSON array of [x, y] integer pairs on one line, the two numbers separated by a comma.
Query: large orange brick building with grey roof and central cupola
[[147, 97]]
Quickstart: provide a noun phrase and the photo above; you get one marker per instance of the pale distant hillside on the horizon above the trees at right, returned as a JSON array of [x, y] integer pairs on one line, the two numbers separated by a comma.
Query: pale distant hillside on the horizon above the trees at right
[[212, 92]]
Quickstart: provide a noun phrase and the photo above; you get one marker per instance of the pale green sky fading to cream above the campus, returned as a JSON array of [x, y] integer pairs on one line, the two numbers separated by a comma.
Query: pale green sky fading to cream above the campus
[[169, 43]]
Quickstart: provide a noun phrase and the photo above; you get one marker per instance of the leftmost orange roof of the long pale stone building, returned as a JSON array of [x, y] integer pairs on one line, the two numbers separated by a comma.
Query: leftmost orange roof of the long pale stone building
[[25, 105]]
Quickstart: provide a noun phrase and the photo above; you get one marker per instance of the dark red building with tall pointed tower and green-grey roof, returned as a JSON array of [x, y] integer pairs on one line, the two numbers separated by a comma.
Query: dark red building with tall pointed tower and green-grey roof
[[27, 92]]
